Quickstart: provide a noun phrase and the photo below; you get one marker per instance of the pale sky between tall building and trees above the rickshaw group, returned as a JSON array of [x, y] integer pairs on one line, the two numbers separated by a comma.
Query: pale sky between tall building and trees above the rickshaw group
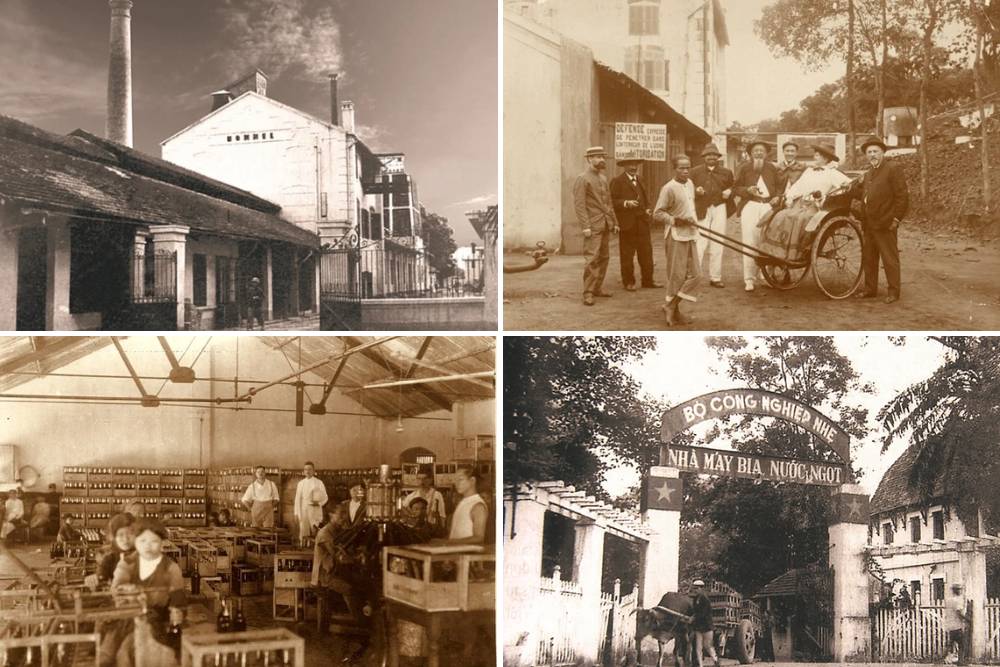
[[760, 85]]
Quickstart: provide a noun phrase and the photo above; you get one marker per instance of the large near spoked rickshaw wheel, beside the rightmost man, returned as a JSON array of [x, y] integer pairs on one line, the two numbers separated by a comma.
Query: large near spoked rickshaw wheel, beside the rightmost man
[[836, 257]]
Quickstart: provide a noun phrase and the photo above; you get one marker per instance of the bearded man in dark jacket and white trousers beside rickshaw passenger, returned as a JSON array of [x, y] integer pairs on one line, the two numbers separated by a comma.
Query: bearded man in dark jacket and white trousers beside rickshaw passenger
[[760, 187]]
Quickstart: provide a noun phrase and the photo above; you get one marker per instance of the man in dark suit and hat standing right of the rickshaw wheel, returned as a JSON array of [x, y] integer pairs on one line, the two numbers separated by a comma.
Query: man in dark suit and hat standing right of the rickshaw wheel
[[884, 201]]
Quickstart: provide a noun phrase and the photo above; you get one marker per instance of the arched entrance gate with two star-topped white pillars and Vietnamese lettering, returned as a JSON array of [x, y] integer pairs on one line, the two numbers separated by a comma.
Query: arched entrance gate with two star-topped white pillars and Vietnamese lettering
[[848, 531]]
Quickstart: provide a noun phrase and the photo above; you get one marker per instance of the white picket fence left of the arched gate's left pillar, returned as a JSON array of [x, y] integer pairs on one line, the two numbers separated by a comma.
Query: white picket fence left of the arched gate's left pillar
[[563, 611]]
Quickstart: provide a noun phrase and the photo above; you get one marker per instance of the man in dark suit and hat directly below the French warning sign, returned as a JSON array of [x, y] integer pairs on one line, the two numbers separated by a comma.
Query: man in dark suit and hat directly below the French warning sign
[[633, 210]]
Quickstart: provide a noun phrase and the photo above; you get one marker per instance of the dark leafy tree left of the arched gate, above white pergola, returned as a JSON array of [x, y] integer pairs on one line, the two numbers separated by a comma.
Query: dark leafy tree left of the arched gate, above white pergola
[[571, 410]]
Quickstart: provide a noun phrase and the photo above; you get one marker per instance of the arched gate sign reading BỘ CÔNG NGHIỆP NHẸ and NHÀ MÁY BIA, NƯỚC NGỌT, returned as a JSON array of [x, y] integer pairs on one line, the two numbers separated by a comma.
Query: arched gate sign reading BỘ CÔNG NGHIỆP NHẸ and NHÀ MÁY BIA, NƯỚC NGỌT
[[754, 466]]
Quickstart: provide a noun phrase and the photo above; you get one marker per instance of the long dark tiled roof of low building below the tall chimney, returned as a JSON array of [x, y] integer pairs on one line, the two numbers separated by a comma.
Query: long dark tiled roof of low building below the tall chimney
[[78, 175]]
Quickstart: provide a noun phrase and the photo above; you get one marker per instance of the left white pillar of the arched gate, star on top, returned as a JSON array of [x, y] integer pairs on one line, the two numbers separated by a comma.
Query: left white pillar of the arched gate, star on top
[[661, 560]]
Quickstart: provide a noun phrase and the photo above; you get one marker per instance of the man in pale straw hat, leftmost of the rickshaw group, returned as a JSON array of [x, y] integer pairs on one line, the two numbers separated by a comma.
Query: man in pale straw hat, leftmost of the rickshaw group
[[596, 215]]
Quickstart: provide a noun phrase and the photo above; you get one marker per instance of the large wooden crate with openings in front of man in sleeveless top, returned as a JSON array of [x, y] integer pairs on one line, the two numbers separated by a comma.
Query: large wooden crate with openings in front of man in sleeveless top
[[440, 578]]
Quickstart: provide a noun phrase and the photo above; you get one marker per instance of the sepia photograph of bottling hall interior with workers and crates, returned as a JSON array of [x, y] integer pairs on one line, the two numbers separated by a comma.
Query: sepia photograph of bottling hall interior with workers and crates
[[247, 500]]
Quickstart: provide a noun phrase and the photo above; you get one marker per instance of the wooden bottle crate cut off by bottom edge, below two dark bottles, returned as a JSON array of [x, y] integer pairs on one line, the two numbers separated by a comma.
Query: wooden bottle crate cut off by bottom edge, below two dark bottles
[[283, 647]]
